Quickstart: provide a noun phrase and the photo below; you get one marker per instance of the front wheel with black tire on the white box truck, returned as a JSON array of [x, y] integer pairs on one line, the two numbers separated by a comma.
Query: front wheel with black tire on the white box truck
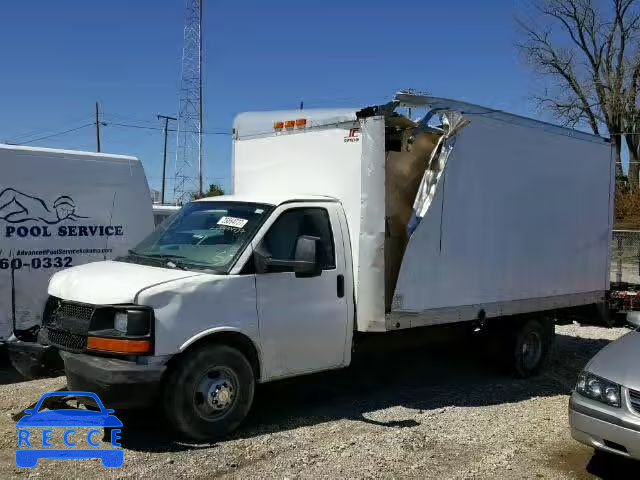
[[183, 397]]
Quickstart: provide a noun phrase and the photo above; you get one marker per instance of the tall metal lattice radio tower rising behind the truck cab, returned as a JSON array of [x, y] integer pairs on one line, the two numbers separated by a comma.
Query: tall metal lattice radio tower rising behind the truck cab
[[188, 167]]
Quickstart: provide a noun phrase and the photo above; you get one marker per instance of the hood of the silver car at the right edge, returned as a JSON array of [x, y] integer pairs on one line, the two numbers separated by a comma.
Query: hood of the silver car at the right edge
[[619, 361]]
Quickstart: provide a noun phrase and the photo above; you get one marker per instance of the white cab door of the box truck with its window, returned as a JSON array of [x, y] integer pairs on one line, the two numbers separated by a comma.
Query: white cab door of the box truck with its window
[[303, 320]]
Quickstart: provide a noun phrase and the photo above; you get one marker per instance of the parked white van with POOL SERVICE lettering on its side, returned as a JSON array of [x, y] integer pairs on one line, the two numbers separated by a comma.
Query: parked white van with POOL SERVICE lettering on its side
[[58, 209]]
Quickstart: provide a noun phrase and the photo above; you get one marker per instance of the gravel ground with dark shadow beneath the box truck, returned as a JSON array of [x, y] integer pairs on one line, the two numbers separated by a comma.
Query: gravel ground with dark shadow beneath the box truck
[[409, 407]]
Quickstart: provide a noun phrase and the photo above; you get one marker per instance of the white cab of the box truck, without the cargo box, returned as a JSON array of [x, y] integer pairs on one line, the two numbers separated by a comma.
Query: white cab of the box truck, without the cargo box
[[226, 268]]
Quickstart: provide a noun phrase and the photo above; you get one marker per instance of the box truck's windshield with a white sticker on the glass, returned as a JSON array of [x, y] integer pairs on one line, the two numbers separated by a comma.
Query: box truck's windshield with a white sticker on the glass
[[202, 235]]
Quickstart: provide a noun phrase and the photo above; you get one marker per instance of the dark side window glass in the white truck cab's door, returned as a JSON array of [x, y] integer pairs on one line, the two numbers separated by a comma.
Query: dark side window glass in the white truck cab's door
[[281, 238]]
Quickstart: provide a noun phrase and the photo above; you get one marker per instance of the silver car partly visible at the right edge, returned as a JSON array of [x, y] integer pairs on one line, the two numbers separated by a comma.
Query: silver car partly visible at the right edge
[[604, 410]]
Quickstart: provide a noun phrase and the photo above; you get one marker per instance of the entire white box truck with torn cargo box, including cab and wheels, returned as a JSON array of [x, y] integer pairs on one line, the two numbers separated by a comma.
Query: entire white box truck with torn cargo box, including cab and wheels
[[342, 222]]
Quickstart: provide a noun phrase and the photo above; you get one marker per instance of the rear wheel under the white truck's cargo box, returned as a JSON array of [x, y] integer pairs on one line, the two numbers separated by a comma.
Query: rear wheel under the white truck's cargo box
[[529, 346]]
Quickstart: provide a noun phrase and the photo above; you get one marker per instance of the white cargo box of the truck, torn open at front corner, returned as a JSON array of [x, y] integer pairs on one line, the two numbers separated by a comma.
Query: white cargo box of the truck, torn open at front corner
[[467, 213]]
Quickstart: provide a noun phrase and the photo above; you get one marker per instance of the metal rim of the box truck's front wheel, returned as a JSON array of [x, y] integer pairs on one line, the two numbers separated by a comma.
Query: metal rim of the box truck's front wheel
[[215, 393]]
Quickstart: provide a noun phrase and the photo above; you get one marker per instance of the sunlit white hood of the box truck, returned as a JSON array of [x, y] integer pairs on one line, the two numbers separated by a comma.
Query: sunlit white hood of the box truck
[[109, 282]]
